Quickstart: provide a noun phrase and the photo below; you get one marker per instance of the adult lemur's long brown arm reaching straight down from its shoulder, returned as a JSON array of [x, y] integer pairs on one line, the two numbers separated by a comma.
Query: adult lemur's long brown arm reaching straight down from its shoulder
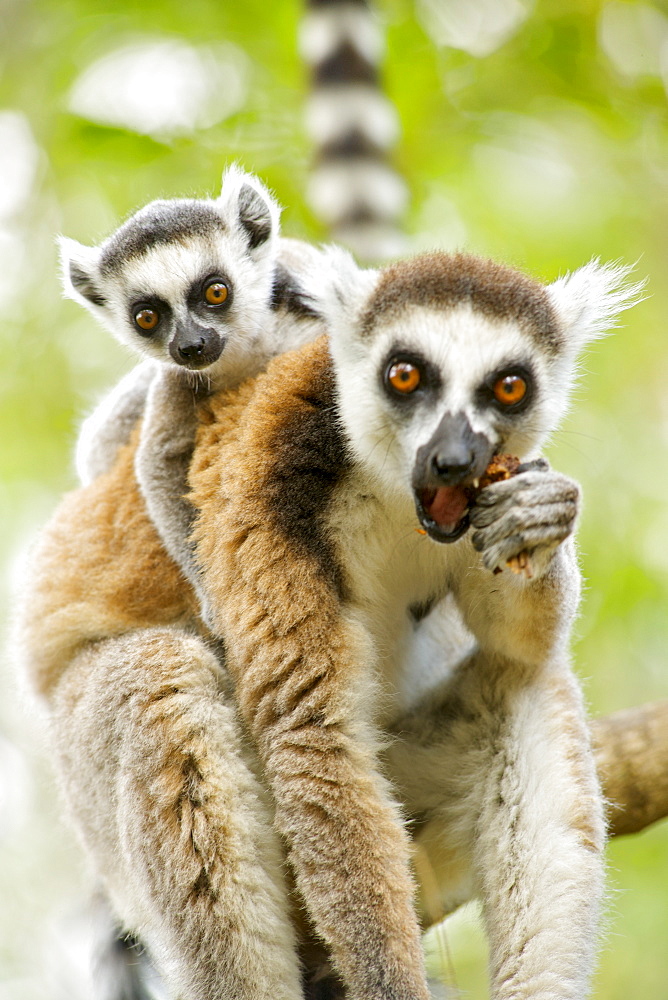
[[301, 666]]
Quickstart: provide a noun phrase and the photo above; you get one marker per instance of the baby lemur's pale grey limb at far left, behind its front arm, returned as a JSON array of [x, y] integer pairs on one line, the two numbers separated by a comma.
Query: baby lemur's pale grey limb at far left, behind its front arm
[[110, 424]]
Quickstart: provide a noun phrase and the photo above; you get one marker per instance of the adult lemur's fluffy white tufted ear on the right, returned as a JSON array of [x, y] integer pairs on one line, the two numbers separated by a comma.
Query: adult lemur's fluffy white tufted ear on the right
[[589, 301]]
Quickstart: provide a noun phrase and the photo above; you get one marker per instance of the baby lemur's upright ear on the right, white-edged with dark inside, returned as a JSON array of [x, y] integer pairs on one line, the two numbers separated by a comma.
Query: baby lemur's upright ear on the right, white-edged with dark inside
[[247, 206]]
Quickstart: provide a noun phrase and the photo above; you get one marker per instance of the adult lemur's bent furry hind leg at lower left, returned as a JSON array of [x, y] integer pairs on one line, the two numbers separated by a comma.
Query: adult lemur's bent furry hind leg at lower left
[[159, 783]]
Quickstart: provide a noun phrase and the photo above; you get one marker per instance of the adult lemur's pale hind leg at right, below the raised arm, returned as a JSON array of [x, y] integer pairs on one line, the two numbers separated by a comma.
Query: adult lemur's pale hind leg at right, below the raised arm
[[501, 777]]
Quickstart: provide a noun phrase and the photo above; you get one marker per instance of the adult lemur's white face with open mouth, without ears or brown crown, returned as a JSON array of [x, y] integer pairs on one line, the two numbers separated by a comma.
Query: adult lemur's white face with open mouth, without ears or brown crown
[[454, 388]]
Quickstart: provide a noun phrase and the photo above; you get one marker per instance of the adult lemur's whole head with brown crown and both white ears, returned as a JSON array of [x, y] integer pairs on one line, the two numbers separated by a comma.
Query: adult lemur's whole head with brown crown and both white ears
[[445, 360]]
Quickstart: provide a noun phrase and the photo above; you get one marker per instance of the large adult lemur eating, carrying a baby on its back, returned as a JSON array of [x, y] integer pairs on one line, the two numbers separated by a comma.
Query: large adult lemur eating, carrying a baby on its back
[[310, 482]]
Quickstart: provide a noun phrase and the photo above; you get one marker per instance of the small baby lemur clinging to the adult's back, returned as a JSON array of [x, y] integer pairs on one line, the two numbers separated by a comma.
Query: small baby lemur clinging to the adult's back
[[206, 291]]
